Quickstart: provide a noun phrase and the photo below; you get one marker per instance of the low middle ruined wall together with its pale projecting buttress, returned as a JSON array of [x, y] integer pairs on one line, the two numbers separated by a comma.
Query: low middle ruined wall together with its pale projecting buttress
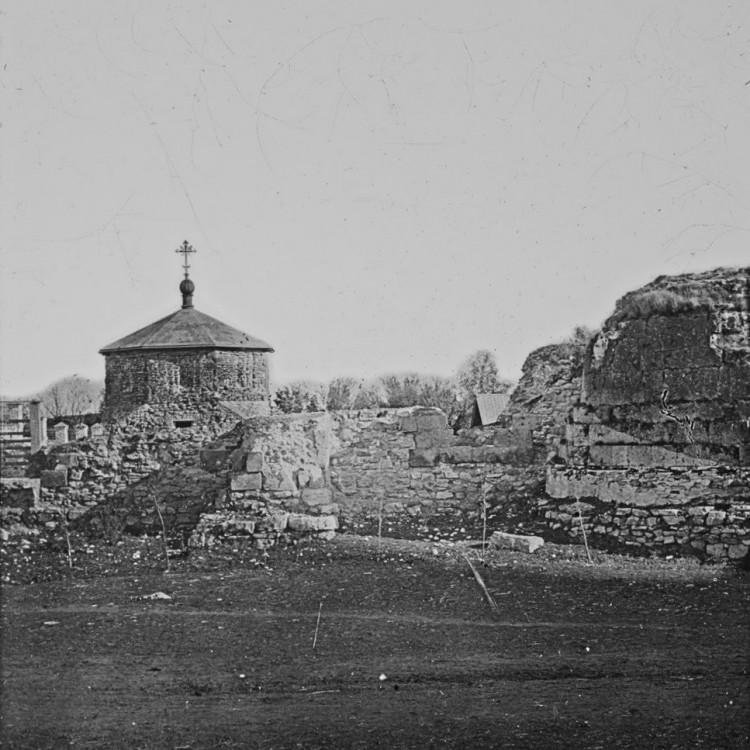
[[357, 465]]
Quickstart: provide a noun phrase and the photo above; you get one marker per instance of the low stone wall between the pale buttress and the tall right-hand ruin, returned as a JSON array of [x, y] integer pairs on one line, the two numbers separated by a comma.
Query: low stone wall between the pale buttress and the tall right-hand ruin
[[411, 463]]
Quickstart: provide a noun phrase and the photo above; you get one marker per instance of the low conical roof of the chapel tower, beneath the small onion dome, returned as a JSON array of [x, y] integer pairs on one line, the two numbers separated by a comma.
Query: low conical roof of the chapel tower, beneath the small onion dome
[[187, 329]]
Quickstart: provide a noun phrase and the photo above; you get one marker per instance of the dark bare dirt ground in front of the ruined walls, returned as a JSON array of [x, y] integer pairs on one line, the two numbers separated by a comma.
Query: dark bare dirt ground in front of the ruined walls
[[361, 644]]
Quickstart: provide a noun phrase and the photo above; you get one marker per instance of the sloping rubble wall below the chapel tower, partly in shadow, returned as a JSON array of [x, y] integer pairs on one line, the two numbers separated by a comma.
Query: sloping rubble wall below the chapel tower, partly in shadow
[[110, 481]]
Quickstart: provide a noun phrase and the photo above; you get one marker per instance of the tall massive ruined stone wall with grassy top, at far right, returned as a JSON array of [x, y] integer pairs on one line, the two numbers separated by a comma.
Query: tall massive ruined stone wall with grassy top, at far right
[[658, 448]]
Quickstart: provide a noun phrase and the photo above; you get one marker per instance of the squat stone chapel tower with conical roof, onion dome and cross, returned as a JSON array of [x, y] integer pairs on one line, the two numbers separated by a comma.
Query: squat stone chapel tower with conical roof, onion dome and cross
[[189, 360]]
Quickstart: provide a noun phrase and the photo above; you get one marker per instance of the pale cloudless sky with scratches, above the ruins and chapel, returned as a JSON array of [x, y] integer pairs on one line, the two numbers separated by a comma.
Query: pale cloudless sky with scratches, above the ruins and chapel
[[371, 187]]
